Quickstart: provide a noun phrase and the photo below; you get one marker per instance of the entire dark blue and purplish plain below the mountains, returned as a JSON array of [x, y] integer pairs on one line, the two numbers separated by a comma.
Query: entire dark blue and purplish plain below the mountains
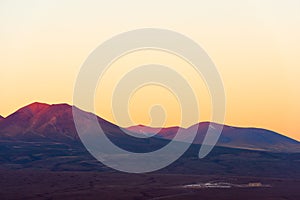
[[39, 170]]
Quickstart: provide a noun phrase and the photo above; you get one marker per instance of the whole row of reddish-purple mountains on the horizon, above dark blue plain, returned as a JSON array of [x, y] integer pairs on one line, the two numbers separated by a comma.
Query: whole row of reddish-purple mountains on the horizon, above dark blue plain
[[39, 121]]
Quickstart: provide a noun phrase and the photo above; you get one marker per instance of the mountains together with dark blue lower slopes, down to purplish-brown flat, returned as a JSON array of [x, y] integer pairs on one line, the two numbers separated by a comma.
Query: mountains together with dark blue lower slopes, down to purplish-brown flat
[[41, 136]]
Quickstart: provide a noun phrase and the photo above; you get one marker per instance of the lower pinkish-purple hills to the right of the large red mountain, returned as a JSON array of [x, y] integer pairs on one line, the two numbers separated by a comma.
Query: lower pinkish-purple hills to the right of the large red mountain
[[233, 137]]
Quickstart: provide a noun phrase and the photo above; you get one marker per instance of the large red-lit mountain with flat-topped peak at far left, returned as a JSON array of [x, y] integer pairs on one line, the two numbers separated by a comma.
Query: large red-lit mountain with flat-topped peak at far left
[[39, 120]]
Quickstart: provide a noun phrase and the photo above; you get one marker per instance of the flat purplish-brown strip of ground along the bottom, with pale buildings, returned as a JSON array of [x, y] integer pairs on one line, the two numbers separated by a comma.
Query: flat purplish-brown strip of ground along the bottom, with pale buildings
[[33, 184]]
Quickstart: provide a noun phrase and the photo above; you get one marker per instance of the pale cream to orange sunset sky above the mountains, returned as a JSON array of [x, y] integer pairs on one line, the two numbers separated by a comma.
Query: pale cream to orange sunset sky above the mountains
[[254, 44]]
